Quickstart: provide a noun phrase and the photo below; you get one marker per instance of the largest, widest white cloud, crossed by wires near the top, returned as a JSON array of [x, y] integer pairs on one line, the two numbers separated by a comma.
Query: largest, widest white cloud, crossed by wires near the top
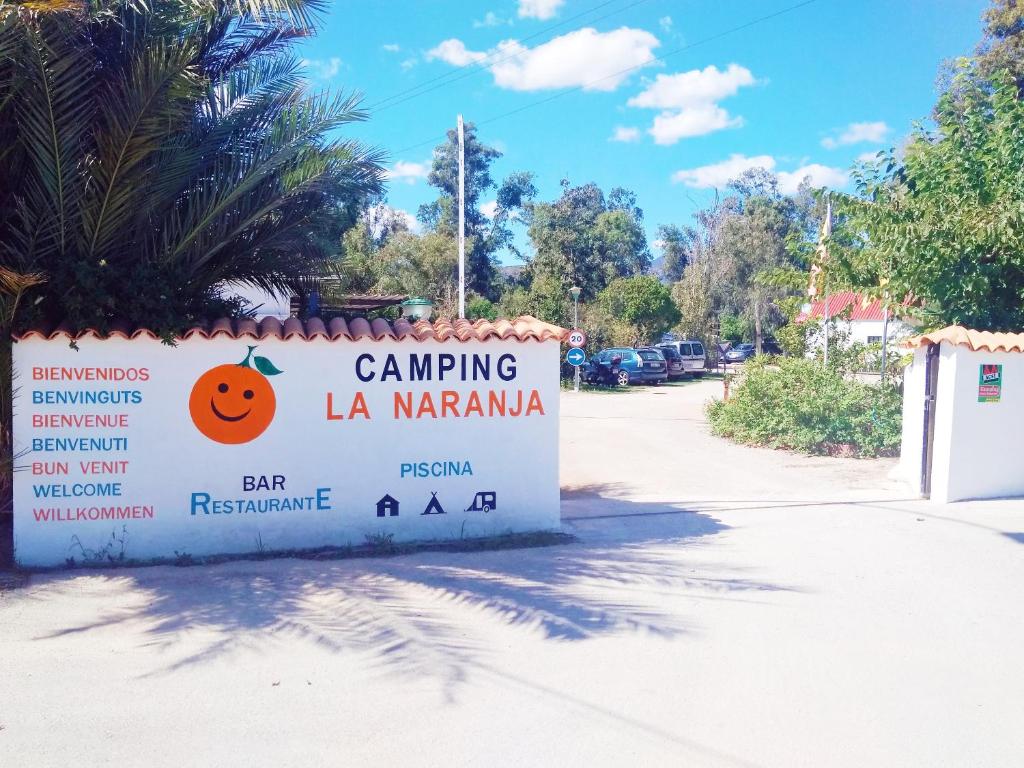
[[585, 58]]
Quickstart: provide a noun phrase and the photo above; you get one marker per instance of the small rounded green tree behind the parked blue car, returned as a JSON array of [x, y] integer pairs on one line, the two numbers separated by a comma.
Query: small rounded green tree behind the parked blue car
[[644, 305]]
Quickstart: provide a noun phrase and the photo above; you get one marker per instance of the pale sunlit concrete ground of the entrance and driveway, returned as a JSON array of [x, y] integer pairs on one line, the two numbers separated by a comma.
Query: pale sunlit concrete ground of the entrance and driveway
[[723, 607]]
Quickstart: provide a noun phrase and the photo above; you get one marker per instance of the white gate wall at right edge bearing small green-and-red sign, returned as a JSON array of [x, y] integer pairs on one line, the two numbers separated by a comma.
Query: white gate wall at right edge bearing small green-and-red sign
[[977, 450]]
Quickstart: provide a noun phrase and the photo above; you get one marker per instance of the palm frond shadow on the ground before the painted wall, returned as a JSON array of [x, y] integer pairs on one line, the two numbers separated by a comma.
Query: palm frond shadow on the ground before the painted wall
[[421, 614]]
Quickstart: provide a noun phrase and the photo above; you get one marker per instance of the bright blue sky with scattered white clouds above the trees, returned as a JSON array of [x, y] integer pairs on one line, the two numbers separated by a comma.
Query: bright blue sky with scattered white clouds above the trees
[[804, 93]]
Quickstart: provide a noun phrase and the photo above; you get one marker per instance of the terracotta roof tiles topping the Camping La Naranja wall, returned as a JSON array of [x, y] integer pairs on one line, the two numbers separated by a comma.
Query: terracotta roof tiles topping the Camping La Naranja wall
[[521, 329]]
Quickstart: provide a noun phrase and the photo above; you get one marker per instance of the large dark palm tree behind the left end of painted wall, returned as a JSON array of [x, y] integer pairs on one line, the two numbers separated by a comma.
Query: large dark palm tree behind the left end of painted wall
[[153, 150]]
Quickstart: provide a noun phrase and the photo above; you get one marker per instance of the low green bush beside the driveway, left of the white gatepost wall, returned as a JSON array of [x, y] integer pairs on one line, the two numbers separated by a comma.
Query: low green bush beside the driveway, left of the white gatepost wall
[[796, 404]]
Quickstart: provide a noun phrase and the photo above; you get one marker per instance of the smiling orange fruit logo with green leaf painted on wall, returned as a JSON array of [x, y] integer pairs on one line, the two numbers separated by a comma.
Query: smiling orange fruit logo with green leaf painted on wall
[[235, 404]]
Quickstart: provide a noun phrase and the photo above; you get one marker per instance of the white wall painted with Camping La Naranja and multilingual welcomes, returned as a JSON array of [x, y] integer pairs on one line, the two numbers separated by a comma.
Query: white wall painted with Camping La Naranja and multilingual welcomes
[[135, 450]]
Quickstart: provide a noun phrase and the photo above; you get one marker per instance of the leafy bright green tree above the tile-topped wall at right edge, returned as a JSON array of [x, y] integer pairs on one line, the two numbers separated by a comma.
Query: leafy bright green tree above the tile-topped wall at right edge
[[947, 225]]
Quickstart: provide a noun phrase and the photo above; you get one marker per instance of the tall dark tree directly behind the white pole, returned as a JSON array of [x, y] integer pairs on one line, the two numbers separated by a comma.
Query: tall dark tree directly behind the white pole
[[490, 234]]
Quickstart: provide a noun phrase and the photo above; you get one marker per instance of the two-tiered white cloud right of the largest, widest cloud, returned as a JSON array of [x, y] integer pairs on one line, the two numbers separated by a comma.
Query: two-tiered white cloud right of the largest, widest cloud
[[690, 102]]
